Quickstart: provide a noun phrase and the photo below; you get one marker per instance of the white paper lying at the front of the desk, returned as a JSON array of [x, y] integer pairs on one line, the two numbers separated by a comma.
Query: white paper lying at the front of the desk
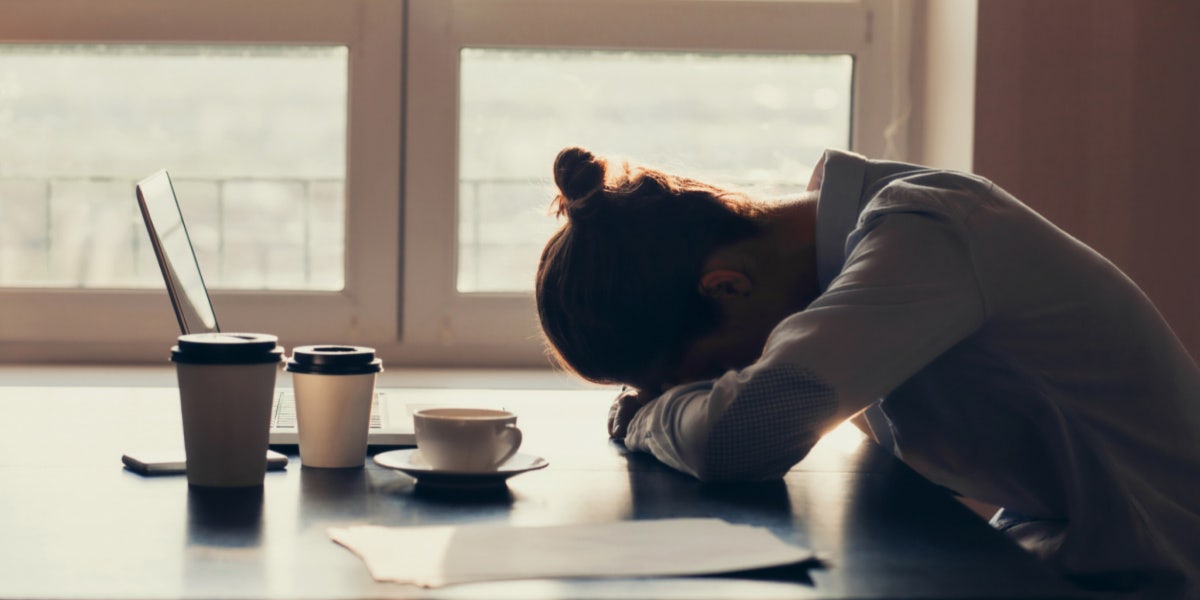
[[441, 556]]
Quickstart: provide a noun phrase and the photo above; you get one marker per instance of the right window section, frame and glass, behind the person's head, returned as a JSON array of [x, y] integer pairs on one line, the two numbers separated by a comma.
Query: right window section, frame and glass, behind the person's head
[[506, 85]]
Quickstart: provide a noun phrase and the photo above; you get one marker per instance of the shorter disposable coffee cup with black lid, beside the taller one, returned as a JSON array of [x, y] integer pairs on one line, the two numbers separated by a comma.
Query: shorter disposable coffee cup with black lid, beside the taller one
[[334, 392]]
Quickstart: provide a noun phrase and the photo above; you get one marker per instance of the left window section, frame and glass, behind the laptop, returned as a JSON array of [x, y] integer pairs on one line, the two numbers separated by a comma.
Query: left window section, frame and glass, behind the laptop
[[280, 122]]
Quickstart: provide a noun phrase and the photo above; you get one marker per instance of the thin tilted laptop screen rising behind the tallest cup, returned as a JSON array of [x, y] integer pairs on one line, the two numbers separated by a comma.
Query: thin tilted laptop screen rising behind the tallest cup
[[177, 259]]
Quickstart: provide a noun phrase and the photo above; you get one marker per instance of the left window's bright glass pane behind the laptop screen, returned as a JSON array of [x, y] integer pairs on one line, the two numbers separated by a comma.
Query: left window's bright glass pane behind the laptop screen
[[255, 139]]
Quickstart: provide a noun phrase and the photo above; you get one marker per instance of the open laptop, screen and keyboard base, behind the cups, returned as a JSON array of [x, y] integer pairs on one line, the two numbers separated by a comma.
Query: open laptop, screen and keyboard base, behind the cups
[[392, 421]]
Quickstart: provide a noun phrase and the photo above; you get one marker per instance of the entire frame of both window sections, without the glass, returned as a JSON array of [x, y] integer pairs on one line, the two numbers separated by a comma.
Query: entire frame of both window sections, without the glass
[[401, 189]]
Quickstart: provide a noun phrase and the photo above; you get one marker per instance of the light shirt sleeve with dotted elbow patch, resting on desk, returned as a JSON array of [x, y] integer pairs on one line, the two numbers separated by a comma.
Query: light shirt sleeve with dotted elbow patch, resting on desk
[[907, 295]]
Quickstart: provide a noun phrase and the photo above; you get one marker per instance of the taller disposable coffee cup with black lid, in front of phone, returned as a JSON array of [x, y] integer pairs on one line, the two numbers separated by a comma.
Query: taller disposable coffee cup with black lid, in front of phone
[[226, 389]]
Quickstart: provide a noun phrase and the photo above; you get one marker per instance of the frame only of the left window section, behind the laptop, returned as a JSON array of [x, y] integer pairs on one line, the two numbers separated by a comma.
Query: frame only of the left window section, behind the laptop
[[89, 326]]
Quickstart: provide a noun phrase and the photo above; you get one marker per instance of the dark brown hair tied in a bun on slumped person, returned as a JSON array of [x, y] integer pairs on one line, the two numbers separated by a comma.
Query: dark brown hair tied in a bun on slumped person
[[619, 283]]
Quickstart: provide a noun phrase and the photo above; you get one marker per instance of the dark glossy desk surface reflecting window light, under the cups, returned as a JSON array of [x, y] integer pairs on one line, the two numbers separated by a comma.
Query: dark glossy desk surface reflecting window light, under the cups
[[75, 525]]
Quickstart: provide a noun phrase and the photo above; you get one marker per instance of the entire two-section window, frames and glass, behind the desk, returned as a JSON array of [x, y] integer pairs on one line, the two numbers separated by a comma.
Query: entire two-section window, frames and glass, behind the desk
[[377, 172]]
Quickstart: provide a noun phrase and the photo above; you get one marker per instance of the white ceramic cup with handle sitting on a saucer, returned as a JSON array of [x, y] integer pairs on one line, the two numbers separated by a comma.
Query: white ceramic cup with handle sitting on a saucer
[[466, 440]]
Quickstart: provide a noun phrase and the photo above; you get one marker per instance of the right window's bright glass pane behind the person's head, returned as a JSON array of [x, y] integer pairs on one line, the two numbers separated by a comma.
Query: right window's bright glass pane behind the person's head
[[752, 122]]
